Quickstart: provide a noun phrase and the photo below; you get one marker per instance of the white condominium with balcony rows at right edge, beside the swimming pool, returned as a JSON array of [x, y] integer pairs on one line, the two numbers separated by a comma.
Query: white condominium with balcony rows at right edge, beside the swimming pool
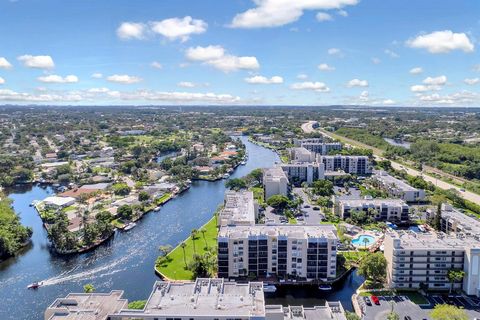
[[423, 260]]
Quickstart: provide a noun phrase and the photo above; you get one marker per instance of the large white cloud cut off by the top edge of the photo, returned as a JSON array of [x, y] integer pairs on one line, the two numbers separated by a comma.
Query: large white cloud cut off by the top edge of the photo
[[274, 13]]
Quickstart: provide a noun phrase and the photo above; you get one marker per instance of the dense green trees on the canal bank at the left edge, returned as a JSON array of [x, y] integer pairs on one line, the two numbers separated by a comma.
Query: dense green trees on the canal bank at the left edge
[[13, 236]]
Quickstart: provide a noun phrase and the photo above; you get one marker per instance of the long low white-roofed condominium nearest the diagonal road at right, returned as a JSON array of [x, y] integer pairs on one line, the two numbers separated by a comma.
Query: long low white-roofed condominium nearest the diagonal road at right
[[398, 188]]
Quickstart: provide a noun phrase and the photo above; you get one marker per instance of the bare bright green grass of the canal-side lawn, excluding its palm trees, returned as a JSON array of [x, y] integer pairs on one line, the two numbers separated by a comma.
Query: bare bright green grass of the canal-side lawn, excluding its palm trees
[[174, 265]]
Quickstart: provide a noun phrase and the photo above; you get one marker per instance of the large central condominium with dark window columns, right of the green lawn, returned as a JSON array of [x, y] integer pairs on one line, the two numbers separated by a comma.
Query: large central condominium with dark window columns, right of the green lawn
[[306, 252]]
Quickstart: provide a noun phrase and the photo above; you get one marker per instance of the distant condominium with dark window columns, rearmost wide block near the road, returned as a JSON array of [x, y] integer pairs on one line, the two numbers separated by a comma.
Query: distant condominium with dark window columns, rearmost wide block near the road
[[350, 164]]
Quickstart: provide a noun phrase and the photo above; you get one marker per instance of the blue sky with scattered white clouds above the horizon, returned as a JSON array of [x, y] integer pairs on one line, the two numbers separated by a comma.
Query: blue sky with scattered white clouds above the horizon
[[280, 52]]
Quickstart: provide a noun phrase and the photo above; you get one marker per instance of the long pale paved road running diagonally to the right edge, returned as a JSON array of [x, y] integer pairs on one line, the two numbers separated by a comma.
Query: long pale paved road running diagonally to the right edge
[[467, 195]]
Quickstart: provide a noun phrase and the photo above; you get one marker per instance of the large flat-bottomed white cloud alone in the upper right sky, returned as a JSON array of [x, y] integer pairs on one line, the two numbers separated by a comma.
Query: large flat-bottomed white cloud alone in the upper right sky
[[442, 42]]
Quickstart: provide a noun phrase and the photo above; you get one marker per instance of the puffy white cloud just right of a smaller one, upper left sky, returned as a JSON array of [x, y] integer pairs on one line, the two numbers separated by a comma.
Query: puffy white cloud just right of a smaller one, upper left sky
[[179, 28]]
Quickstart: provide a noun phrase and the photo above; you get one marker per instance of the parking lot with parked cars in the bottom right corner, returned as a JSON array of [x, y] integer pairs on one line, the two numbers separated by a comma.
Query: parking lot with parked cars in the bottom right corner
[[404, 307]]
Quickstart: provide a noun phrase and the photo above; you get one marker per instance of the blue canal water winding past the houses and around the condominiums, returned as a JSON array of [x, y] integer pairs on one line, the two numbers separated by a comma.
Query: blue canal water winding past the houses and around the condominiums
[[126, 261]]
